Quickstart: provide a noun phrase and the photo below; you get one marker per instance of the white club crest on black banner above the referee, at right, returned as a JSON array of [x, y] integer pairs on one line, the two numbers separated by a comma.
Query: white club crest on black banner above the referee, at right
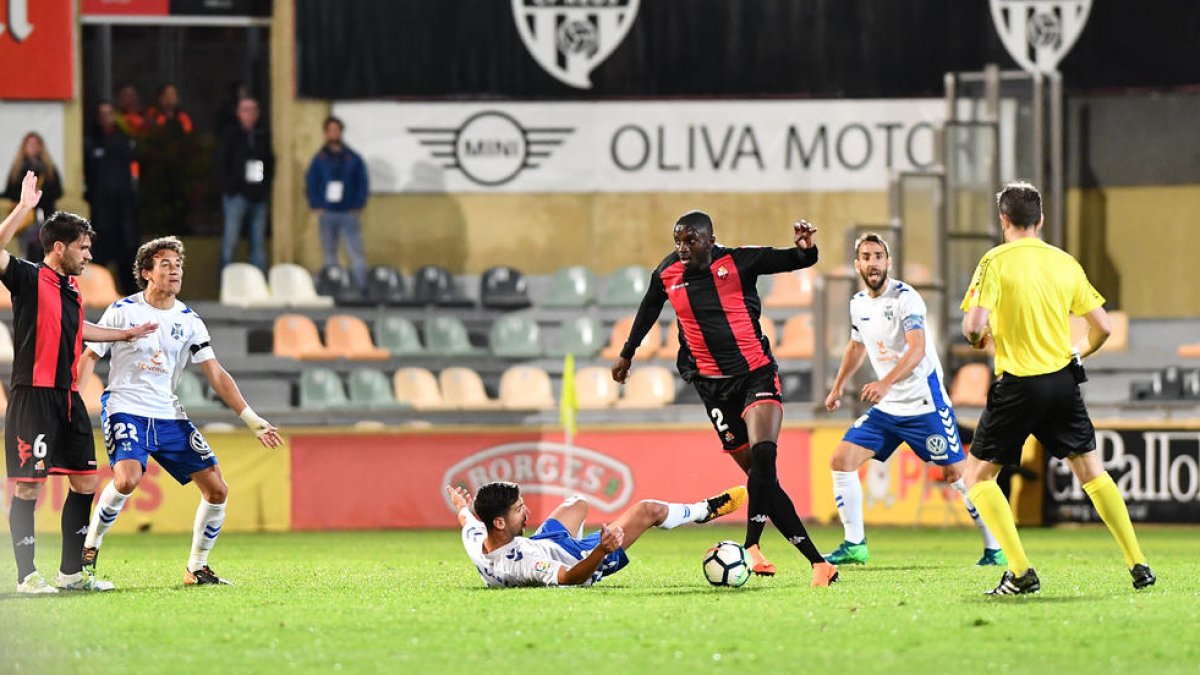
[[1040, 33]]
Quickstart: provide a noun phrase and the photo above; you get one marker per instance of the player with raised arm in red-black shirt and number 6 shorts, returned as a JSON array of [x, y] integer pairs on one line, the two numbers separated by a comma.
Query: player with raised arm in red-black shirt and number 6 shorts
[[47, 429]]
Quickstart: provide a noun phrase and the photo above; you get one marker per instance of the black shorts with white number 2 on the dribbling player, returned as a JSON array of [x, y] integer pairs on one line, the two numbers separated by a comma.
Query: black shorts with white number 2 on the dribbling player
[[727, 401]]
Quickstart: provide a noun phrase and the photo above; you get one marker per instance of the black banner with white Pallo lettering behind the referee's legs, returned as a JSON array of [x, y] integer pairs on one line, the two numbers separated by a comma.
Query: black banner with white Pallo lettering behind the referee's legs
[[1157, 471]]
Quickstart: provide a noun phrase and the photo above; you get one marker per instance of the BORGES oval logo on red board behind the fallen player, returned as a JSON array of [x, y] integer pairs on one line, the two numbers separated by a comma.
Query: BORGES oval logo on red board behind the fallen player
[[548, 469]]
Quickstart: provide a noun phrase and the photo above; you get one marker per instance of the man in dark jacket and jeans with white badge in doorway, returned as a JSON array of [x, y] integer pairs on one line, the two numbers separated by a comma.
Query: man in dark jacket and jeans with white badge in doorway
[[245, 166]]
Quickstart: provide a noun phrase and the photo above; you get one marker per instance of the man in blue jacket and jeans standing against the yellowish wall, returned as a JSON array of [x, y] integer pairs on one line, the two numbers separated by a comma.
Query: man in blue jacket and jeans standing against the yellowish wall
[[338, 190]]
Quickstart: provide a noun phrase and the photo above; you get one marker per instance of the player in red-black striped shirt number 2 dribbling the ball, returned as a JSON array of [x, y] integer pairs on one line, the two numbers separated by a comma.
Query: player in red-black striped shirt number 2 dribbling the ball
[[724, 354]]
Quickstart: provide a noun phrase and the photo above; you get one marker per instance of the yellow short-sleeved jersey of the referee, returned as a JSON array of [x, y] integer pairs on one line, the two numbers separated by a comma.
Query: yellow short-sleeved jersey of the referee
[[1031, 289]]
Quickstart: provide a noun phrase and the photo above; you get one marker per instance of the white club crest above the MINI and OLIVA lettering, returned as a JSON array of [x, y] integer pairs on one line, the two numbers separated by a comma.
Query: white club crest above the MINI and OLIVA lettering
[[569, 39]]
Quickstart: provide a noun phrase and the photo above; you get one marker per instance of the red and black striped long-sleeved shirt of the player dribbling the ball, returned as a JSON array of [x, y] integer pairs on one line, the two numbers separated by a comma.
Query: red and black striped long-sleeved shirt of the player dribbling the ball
[[717, 309]]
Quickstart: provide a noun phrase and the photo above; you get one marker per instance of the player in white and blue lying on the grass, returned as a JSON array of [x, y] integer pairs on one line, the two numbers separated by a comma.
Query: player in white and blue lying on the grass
[[559, 554]]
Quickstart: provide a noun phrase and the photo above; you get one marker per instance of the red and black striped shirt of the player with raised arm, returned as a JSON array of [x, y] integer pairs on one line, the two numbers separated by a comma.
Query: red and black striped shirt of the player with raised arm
[[47, 325]]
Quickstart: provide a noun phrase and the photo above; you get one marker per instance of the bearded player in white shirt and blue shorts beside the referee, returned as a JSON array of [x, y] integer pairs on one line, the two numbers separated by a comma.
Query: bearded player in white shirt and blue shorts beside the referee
[[887, 324]]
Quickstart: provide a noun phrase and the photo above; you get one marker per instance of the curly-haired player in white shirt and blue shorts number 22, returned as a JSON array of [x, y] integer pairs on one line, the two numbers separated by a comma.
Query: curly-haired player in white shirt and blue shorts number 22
[[142, 416]]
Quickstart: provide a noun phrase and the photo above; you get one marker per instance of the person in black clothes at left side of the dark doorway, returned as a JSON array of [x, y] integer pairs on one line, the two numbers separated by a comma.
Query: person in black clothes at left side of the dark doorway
[[109, 165]]
